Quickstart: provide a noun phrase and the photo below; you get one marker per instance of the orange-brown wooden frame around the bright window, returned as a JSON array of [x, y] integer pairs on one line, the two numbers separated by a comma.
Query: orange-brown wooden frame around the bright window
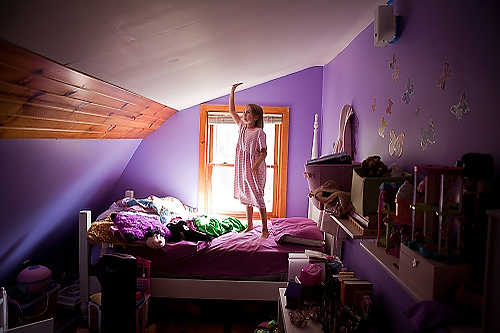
[[280, 158]]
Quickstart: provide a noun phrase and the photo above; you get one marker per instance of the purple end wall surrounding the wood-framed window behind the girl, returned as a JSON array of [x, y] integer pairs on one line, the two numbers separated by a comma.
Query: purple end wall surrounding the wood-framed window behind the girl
[[166, 162]]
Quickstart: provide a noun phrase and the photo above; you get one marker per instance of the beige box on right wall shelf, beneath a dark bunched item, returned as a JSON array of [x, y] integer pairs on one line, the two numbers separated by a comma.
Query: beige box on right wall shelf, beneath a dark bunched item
[[365, 191]]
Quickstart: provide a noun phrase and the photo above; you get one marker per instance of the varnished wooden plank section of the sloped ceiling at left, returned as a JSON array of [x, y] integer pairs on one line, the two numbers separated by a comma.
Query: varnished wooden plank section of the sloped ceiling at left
[[40, 98]]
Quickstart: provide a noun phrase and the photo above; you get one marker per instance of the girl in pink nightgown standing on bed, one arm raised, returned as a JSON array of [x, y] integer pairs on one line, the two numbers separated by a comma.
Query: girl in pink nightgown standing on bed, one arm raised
[[249, 162]]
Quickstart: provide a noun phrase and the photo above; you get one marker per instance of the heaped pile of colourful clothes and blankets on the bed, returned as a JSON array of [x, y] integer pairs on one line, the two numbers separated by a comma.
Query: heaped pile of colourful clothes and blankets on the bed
[[156, 221]]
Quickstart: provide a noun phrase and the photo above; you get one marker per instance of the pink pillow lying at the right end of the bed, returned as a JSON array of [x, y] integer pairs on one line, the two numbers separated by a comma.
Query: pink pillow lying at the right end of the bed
[[296, 230]]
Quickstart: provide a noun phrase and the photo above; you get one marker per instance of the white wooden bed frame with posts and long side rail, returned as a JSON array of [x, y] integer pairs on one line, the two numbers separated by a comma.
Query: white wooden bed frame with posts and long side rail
[[185, 288]]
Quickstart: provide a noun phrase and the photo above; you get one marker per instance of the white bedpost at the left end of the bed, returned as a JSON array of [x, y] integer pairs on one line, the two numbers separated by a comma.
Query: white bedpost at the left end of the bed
[[84, 221]]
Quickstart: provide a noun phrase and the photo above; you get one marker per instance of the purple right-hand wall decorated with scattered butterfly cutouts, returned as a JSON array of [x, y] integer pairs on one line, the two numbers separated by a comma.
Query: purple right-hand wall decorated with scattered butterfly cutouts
[[462, 33]]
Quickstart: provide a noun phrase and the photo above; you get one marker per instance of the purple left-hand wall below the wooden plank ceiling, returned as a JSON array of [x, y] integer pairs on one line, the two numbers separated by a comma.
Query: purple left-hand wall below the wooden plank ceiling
[[44, 185]]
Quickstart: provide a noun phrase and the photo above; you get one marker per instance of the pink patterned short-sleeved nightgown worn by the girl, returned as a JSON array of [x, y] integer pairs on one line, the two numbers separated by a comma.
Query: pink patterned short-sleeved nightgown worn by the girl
[[248, 187]]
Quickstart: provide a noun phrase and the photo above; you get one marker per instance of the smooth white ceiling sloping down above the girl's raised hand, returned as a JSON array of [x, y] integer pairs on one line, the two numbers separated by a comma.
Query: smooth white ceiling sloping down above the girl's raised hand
[[185, 52]]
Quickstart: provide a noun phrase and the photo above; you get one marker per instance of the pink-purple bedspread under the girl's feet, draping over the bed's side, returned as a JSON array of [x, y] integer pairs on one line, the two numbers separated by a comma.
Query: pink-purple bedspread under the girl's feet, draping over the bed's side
[[233, 255]]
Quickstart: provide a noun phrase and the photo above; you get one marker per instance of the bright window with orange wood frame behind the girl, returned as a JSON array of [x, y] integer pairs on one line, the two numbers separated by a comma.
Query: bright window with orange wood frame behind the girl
[[218, 137]]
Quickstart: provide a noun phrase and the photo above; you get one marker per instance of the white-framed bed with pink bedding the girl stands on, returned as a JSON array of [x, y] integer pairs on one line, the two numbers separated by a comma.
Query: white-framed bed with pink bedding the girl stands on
[[233, 266]]
